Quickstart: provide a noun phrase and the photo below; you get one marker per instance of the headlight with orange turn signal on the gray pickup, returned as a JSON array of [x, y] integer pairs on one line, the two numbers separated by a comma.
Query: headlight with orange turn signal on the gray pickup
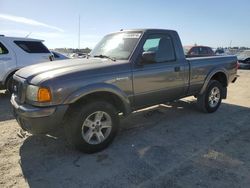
[[38, 94]]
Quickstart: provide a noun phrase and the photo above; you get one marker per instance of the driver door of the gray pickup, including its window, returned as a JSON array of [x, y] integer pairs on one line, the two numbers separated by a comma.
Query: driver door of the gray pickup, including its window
[[162, 79]]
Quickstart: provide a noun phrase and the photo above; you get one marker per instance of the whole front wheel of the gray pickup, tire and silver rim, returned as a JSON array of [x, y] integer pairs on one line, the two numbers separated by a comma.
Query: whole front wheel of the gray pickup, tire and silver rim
[[92, 127]]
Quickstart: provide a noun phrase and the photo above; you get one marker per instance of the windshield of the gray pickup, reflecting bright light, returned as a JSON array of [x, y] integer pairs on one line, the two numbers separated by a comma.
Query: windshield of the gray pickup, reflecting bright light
[[117, 46]]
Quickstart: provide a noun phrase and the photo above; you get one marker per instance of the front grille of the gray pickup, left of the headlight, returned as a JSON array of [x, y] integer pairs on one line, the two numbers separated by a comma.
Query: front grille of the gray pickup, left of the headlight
[[19, 89]]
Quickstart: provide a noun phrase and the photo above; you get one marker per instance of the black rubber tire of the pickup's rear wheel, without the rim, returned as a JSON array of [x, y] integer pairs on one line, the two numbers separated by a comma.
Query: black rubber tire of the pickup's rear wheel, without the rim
[[203, 103]]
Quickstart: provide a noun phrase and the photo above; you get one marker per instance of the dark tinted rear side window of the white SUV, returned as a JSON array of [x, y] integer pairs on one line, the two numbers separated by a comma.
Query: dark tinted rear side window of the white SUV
[[32, 46]]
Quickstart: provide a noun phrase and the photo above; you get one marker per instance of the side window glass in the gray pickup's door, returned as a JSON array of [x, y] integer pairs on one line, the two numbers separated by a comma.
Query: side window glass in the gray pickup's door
[[163, 47]]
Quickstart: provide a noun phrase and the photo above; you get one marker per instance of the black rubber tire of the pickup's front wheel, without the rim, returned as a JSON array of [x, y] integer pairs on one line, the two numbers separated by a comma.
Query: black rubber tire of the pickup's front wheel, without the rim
[[75, 119]]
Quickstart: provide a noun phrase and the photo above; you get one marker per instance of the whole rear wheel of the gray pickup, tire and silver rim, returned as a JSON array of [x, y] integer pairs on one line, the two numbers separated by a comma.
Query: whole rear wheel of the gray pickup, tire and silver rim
[[210, 100]]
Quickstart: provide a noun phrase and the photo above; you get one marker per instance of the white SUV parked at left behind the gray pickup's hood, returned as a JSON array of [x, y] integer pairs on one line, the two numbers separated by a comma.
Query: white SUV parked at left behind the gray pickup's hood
[[16, 53]]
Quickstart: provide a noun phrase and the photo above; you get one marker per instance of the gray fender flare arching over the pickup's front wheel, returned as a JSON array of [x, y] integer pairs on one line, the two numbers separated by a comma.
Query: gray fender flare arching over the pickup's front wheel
[[100, 87]]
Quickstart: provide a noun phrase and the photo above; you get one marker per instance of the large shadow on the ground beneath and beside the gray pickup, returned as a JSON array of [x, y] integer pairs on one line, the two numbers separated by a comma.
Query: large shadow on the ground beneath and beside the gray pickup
[[150, 142]]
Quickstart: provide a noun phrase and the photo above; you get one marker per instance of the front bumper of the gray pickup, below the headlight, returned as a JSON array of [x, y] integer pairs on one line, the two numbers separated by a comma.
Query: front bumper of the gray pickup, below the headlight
[[38, 120]]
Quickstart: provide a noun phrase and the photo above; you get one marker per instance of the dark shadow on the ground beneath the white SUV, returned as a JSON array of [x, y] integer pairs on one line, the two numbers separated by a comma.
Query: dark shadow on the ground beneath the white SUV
[[5, 110]]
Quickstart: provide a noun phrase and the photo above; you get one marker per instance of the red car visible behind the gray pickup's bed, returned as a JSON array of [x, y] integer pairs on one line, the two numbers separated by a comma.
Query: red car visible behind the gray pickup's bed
[[198, 51]]
